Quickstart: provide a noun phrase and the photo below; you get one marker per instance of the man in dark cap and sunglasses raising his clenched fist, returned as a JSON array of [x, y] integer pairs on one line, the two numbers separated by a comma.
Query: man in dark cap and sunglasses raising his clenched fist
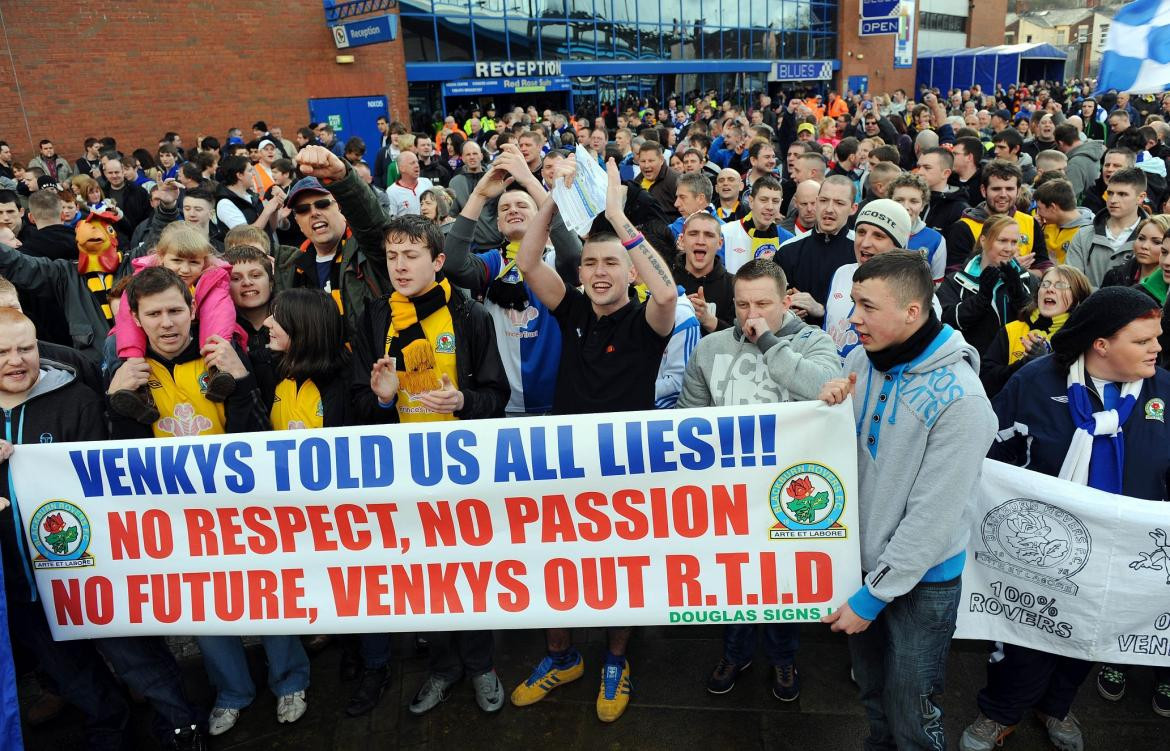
[[345, 226]]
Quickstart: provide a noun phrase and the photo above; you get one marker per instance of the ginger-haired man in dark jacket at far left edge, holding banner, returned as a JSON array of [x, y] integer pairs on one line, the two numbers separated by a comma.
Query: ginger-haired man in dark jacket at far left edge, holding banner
[[35, 394]]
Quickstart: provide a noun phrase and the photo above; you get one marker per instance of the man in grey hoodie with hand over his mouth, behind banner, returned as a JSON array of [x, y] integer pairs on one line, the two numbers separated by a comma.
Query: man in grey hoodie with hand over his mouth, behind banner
[[769, 356]]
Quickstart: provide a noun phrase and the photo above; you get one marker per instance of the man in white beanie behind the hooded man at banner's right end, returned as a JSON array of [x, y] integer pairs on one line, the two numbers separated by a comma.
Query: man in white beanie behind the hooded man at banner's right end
[[882, 226]]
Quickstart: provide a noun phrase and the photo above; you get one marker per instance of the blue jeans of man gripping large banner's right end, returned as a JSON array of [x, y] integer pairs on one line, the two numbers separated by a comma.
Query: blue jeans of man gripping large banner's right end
[[900, 663]]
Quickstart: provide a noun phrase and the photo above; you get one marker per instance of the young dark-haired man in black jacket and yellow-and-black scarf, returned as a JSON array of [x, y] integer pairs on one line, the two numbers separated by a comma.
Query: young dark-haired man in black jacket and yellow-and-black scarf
[[422, 355]]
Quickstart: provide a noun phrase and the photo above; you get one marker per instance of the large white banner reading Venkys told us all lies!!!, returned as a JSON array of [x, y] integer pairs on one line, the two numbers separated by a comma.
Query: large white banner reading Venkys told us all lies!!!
[[745, 514]]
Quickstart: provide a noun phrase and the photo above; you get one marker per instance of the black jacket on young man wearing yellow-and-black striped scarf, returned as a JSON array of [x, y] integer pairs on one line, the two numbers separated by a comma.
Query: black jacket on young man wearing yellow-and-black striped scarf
[[481, 373]]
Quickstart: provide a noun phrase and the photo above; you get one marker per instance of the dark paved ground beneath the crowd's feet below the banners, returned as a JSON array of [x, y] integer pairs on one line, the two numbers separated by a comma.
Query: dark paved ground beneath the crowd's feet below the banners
[[670, 711]]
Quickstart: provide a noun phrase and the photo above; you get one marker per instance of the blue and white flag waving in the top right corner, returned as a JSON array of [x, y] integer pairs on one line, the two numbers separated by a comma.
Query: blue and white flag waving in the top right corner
[[1138, 50]]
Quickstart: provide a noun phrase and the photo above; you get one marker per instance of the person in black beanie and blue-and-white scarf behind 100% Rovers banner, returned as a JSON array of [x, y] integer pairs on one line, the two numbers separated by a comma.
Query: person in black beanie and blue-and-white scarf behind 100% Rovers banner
[[1092, 414]]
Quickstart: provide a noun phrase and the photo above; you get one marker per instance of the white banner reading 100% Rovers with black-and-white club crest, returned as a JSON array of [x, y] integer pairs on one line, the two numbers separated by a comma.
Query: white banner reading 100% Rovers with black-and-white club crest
[[1068, 570]]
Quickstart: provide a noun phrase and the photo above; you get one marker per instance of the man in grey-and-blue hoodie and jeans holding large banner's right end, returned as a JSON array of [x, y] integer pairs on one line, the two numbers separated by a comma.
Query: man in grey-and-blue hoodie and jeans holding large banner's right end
[[923, 398]]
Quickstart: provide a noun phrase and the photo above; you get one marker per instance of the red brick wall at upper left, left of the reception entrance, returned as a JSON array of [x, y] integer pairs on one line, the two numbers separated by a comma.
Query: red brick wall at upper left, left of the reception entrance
[[135, 70]]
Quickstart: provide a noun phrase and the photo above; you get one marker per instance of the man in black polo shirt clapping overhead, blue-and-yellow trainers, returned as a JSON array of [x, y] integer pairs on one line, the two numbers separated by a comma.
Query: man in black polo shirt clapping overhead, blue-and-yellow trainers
[[611, 352]]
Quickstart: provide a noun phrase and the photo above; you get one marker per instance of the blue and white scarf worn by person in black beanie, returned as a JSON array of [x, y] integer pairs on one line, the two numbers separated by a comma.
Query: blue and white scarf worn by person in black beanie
[[1097, 454]]
